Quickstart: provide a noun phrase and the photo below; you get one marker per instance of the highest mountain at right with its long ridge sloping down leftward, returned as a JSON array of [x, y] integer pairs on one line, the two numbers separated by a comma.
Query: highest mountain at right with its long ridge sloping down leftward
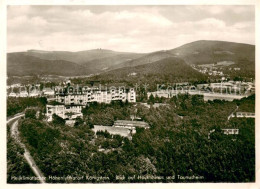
[[201, 52]]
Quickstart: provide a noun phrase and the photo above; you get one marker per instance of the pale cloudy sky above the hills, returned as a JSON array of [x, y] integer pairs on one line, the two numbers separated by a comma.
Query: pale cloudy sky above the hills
[[125, 28]]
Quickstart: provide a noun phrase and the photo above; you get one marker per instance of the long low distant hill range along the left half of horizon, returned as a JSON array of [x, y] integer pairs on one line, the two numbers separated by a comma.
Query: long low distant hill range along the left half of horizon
[[62, 63]]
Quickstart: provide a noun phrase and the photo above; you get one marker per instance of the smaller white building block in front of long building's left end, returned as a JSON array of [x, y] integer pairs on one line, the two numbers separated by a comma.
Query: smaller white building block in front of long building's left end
[[65, 112]]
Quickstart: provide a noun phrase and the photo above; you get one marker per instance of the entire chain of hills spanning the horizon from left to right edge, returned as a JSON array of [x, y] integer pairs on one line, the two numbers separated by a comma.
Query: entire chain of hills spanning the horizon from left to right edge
[[34, 62]]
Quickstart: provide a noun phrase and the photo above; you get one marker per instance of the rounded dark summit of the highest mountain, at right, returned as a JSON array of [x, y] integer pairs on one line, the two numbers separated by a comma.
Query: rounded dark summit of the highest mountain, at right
[[208, 52]]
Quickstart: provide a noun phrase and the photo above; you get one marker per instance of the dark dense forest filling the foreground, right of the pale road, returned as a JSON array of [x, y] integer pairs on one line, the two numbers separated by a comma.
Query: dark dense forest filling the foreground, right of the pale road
[[176, 146]]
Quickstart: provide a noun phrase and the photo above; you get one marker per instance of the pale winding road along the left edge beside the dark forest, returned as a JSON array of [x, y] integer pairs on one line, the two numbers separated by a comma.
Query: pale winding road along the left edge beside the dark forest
[[15, 134]]
